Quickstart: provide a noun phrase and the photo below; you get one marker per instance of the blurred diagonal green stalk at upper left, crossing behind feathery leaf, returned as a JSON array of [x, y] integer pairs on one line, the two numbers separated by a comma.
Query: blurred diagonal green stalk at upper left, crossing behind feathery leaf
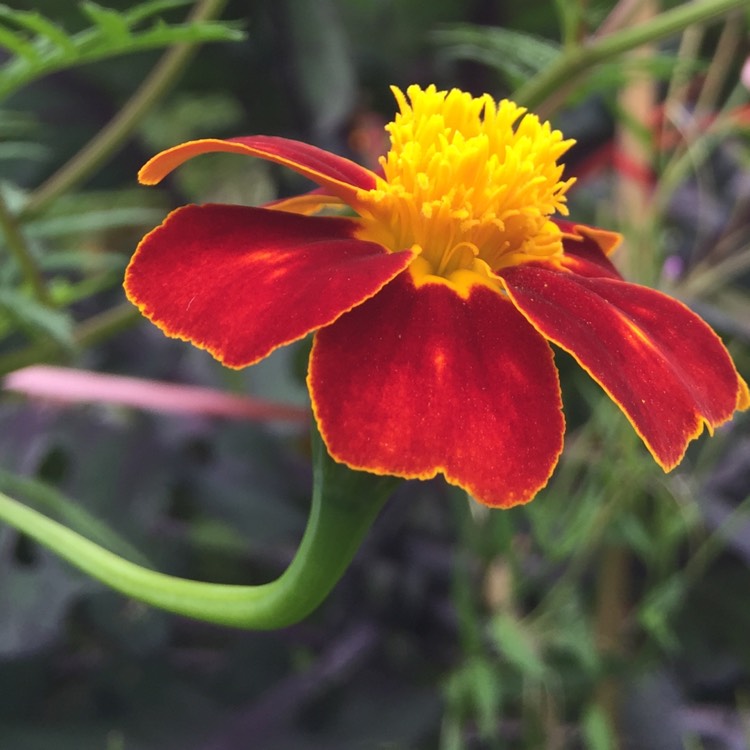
[[162, 78]]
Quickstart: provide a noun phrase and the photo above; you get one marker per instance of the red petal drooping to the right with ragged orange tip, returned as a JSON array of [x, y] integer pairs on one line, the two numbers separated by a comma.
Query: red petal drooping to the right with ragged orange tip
[[665, 368]]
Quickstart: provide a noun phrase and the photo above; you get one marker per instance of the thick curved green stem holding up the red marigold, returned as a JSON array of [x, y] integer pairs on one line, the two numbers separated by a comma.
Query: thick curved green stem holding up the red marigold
[[344, 505]]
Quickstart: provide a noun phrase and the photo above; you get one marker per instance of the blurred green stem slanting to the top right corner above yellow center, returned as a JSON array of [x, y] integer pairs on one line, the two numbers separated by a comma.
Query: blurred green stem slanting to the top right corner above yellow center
[[575, 61]]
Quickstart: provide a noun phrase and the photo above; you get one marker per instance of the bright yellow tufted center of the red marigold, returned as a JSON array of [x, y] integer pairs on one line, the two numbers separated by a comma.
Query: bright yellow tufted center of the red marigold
[[468, 183]]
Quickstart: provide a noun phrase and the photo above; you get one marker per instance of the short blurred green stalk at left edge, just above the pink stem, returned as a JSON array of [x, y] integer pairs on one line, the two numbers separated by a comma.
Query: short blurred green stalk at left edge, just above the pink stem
[[92, 331]]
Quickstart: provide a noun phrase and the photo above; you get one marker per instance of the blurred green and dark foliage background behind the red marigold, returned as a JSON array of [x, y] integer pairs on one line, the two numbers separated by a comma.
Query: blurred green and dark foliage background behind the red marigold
[[612, 611]]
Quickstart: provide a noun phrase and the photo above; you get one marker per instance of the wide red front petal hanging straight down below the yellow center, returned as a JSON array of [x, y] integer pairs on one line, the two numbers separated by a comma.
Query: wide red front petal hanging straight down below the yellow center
[[420, 381]]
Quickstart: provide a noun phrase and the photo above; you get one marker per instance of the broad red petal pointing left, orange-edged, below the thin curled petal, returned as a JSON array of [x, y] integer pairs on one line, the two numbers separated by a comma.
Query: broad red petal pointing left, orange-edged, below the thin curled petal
[[241, 281]]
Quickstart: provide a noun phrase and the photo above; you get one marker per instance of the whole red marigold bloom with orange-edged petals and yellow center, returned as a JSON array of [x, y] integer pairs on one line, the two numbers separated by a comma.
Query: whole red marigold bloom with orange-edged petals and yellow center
[[435, 307]]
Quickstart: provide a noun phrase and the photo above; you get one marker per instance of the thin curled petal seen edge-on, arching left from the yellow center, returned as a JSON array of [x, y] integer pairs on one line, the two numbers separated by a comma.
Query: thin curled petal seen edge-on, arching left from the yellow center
[[340, 176]]
